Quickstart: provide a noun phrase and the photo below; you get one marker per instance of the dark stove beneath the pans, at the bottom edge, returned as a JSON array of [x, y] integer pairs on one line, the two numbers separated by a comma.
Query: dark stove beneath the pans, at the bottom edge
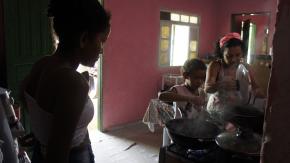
[[178, 154]]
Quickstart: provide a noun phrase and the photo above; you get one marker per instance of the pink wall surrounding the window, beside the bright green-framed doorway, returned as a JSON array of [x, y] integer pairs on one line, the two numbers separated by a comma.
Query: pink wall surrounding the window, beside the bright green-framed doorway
[[131, 75]]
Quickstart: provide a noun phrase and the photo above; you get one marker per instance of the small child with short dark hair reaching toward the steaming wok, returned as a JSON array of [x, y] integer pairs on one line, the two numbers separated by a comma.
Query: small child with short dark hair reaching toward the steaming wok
[[189, 97]]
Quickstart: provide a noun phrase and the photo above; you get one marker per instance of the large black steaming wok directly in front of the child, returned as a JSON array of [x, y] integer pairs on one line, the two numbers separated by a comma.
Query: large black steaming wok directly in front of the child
[[193, 133]]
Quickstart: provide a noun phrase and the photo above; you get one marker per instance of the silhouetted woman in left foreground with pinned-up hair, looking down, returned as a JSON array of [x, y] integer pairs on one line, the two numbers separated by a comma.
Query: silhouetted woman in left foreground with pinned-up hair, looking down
[[55, 93]]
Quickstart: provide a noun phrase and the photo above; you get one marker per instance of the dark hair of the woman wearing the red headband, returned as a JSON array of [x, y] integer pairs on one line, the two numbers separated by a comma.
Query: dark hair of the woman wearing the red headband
[[219, 51]]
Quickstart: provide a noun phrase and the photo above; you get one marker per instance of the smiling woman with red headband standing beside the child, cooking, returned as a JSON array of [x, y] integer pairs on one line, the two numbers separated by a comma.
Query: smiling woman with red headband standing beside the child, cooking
[[221, 82]]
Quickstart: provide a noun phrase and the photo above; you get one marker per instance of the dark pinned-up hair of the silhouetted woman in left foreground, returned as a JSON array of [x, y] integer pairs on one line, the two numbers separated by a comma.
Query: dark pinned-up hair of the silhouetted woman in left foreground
[[73, 17]]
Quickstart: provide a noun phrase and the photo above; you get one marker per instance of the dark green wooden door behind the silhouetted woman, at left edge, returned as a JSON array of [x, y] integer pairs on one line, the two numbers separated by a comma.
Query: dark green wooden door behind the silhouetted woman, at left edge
[[27, 37]]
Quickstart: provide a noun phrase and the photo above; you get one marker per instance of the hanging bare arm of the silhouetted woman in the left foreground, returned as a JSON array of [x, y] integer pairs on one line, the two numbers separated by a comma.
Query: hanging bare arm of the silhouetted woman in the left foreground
[[70, 98]]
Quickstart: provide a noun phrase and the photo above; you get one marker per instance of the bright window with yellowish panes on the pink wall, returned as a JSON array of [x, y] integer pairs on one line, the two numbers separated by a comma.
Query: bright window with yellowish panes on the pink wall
[[178, 38]]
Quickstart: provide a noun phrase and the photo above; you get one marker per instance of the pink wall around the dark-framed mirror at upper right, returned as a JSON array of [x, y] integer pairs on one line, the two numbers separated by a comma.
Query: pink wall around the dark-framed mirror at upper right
[[228, 7]]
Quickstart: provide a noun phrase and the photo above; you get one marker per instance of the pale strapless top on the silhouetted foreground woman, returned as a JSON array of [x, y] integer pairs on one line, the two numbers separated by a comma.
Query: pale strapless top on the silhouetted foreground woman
[[41, 121]]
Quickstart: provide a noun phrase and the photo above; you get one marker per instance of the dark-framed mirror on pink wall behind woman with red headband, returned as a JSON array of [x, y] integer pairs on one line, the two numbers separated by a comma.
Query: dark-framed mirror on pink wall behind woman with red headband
[[254, 30]]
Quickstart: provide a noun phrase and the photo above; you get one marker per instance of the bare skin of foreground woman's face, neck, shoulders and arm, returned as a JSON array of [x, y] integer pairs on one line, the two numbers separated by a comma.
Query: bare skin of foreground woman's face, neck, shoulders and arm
[[60, 90]]
